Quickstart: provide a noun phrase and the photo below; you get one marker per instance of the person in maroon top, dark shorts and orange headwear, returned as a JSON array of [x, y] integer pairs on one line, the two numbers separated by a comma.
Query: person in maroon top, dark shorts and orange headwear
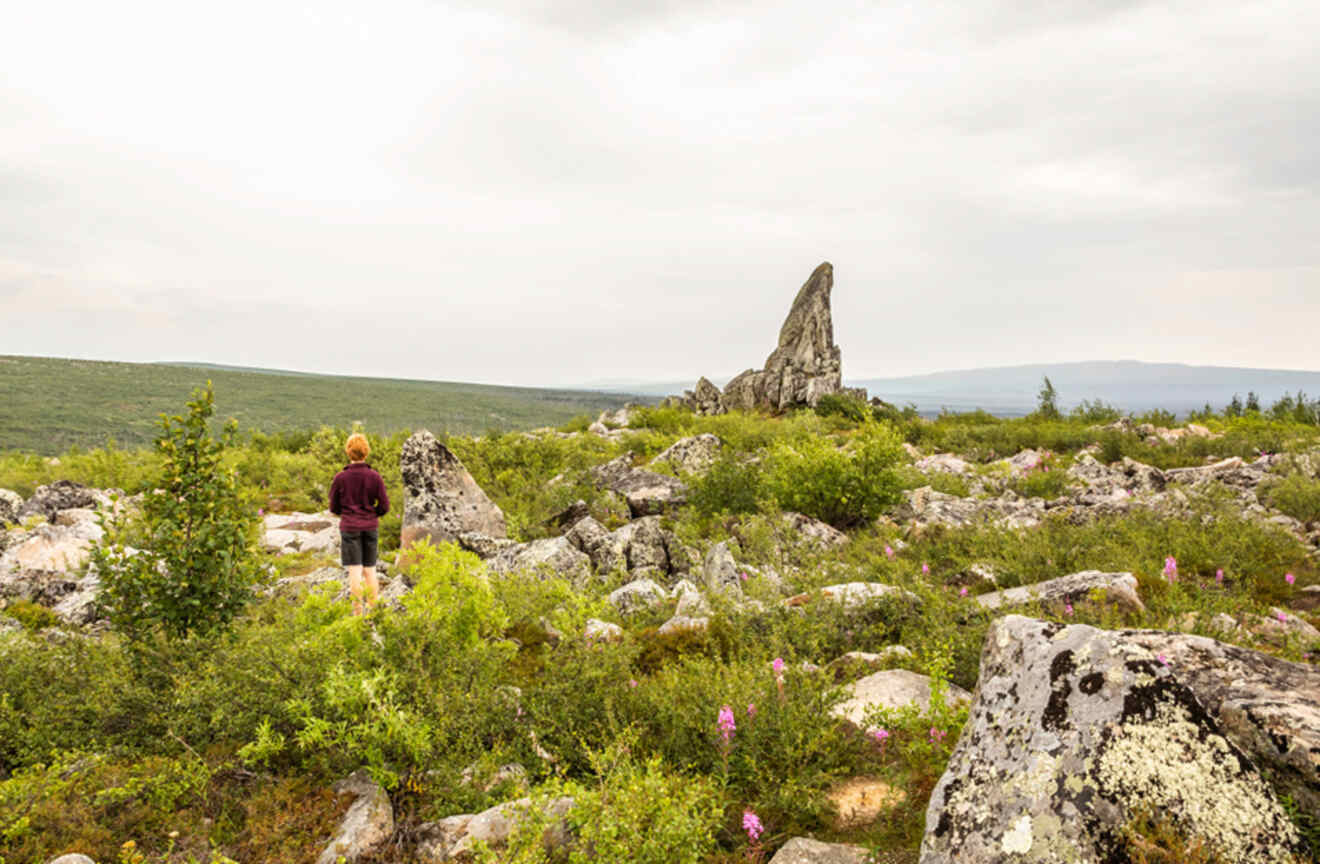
[[358, 498]]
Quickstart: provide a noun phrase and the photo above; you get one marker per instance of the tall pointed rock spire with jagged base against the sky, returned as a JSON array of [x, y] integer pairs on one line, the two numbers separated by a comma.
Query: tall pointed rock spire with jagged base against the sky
[[803, 367]]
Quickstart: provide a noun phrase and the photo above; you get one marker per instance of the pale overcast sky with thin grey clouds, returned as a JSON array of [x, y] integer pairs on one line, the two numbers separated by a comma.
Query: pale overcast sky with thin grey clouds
[[576, 191]]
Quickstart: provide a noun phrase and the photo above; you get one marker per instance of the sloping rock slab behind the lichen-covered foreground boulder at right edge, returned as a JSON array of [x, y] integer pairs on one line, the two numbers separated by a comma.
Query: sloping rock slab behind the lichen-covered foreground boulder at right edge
[[1267, 706]]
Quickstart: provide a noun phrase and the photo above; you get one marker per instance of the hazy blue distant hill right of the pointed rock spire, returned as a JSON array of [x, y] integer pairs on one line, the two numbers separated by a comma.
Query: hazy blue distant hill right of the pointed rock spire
[[1127, 385]]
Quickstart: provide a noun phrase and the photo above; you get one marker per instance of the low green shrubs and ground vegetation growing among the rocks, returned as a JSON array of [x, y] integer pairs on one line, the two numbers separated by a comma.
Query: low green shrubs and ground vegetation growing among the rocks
[[225, 746]]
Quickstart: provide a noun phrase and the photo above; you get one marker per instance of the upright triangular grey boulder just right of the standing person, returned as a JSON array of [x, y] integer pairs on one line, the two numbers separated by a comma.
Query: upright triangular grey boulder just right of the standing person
[[442, 498]]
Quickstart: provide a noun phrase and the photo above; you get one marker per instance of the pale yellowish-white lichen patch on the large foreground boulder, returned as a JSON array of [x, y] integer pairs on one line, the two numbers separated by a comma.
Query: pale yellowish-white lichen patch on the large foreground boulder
[[1164, 766]]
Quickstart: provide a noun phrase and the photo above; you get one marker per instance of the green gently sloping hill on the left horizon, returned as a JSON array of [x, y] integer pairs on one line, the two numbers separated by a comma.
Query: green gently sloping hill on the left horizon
[[48, 404]]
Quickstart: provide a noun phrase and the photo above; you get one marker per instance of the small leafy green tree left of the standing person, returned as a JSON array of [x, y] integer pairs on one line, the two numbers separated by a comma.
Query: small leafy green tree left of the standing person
[[200, 564]]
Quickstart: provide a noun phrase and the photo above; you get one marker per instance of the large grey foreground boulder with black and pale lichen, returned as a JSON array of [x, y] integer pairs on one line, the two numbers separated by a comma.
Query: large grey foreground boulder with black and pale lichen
[[1074, 734]]
